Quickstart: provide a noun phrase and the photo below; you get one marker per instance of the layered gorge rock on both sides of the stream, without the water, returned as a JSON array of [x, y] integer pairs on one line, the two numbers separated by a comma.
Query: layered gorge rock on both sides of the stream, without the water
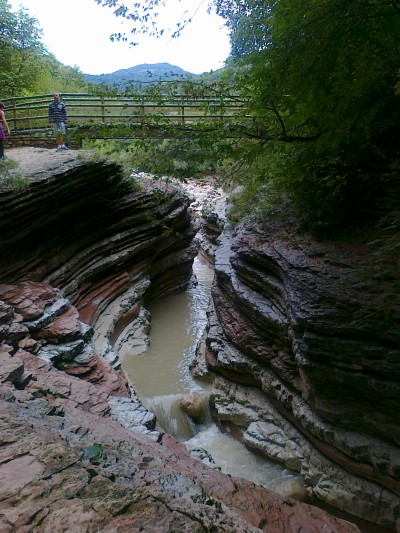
[[309, 384]]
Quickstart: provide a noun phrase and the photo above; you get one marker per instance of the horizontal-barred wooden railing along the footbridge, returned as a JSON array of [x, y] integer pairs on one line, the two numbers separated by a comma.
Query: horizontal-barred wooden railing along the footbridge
[[31, 112]]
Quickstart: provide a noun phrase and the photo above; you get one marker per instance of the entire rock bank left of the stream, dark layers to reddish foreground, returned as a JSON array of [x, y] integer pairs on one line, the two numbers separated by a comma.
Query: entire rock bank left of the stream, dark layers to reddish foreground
[[80, 247]]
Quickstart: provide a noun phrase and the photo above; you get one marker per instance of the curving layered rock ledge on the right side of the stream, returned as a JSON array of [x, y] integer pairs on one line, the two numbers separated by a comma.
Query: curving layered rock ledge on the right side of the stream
[[305, 368]]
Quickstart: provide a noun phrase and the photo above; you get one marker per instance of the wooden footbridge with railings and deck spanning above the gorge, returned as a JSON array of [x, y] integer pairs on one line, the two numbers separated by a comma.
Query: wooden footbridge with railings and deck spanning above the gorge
[[137, 116]]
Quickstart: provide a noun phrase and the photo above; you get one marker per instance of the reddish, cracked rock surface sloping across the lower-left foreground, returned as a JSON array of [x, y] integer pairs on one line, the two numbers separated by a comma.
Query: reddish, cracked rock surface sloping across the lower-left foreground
[[77, 469]]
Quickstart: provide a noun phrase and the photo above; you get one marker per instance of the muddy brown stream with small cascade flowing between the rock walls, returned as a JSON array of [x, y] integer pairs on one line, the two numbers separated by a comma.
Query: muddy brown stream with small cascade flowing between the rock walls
[[161, 376]]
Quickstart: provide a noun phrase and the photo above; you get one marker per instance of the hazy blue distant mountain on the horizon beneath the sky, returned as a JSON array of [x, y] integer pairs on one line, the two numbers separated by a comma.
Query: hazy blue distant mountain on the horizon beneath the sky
[[147, 73]]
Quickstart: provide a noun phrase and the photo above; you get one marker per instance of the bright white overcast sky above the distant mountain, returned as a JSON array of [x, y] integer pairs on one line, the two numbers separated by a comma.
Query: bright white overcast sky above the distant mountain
[[77, 32]]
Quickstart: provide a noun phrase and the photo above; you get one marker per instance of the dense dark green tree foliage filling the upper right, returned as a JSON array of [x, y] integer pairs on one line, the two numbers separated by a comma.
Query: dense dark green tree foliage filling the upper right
[[322, 81]]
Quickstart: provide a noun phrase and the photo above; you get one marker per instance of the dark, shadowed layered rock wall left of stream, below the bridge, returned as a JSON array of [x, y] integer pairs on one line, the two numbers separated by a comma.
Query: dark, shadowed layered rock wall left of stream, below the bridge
[[80, 227]]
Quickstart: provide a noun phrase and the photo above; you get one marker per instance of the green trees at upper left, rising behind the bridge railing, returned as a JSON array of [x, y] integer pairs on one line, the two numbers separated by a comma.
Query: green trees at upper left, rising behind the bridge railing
[[26, 66]]
